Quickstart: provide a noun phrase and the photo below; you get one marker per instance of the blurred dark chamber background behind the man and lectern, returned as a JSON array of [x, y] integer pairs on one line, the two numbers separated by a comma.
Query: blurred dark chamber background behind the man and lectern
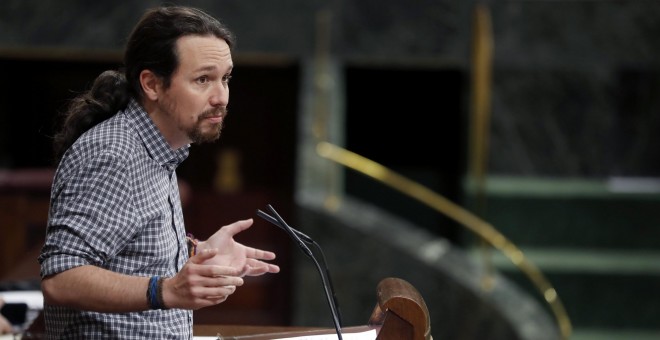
[[534, 121]]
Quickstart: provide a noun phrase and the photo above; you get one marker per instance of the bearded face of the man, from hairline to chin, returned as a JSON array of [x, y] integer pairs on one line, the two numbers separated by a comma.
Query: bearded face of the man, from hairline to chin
[[194, 107]]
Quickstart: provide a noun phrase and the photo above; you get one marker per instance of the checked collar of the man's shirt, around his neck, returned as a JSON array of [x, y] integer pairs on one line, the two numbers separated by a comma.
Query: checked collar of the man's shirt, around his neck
[[153, 140]]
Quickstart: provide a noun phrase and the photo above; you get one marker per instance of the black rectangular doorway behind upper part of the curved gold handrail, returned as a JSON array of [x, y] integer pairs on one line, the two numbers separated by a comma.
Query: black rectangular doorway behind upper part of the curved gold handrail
[[409, 119]]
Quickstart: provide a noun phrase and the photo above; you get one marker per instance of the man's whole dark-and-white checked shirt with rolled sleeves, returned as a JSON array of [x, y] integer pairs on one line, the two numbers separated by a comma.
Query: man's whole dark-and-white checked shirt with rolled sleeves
[[115, 204]]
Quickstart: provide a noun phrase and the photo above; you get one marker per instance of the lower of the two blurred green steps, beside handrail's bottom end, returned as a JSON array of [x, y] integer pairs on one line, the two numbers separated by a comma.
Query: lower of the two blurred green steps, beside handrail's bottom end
[[610, 290]]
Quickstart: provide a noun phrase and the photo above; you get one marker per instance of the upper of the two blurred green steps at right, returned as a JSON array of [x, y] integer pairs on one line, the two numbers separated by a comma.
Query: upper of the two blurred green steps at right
[[616, 213]]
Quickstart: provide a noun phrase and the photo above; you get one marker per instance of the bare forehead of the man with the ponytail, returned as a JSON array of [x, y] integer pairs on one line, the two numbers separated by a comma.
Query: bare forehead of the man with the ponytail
[[196, 51]]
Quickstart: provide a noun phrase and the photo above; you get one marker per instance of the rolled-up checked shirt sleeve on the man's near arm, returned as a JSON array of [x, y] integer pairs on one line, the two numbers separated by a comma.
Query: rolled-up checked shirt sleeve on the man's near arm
[[91, 216]]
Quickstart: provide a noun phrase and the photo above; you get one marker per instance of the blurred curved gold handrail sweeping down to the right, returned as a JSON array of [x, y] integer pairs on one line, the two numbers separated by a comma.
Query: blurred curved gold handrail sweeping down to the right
[[458, 214]]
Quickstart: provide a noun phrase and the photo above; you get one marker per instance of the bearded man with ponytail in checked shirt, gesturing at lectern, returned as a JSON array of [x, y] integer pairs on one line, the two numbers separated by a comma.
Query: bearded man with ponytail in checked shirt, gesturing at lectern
[[117, 262]]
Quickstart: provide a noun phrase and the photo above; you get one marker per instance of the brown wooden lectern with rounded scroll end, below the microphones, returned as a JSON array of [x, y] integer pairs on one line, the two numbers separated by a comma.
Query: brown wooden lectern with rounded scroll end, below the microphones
[[400, 314]]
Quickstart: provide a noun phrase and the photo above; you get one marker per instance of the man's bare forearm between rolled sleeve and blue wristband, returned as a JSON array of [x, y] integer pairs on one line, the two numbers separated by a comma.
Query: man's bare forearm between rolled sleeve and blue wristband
[[96, 289]]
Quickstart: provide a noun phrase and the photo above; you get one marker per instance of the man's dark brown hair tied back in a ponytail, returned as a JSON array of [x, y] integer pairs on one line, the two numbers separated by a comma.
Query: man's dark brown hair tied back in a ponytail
[[151, 46]]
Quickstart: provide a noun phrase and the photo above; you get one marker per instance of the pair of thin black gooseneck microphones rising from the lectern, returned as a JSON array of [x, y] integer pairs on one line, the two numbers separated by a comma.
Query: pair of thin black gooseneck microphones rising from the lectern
[[301, 239]]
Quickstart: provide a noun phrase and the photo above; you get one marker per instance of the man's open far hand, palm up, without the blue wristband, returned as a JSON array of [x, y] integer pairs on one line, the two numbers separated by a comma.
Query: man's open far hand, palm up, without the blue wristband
[[236, 255]]
